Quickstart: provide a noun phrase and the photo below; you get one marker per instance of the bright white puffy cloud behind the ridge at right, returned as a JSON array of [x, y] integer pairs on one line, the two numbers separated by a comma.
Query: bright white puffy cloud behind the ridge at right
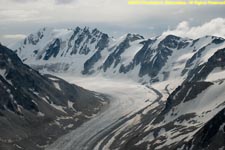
[[214, 27]]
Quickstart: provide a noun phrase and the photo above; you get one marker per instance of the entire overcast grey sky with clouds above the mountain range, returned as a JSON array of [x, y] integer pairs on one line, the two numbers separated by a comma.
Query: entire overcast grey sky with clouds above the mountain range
[[115, 17]]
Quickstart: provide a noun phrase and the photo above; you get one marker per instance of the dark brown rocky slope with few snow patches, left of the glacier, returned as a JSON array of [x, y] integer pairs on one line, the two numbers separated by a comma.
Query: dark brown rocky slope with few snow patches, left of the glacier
[[36, 109]]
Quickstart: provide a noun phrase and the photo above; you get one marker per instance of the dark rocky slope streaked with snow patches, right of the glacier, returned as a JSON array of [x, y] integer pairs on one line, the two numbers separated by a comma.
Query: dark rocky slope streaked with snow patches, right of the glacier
[[191, 118]]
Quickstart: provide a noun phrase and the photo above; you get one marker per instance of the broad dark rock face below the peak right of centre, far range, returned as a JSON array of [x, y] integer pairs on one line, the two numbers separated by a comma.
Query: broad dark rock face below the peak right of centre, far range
[[152, 60]]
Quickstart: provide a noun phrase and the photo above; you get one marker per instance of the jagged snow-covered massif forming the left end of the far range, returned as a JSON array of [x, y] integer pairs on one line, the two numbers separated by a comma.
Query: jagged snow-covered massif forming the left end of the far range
[[61, 50]]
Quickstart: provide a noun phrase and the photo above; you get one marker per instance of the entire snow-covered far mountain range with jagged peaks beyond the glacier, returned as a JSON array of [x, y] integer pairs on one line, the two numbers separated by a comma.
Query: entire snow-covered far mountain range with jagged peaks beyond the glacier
[[85, 51]]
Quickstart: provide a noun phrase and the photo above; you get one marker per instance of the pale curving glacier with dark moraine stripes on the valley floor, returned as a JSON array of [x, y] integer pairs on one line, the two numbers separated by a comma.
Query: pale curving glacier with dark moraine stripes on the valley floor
[[127, 98]]
